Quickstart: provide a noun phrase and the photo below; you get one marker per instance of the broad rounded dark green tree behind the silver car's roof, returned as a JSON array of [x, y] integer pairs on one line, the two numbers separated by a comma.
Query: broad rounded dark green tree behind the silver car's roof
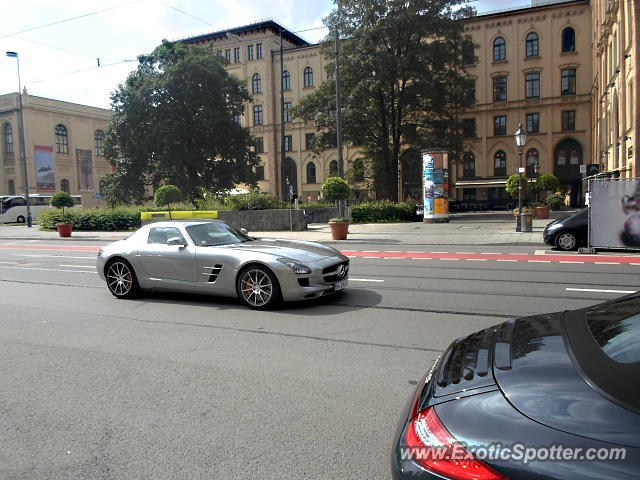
[[174, 122]]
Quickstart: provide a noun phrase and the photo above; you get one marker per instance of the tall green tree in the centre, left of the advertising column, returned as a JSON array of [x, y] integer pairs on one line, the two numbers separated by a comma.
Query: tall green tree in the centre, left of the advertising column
[[402, 84]]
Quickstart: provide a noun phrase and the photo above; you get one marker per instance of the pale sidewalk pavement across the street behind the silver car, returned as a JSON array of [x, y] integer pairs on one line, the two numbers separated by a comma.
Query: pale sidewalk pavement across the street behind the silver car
[[478, 229]]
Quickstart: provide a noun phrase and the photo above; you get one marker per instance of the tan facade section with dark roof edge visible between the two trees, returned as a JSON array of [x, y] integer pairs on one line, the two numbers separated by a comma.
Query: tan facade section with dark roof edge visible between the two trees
[[252, 54]]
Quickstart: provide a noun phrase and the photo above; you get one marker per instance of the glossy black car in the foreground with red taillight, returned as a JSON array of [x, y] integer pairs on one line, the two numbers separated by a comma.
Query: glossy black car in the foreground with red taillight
[[554, 396]]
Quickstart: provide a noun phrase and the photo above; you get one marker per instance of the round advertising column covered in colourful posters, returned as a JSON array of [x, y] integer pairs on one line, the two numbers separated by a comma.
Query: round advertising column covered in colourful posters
[[435, 187]]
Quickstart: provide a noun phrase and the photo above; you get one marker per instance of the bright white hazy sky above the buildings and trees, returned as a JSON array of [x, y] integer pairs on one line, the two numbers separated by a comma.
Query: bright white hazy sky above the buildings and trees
[[59, 42]]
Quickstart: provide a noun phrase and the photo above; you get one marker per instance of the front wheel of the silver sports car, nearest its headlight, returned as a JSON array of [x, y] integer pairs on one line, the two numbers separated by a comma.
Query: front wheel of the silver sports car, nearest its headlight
[[258, 287]]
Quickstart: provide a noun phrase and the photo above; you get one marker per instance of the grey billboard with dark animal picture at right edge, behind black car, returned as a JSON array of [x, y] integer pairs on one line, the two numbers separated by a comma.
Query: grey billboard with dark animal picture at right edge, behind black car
[[614, 215]]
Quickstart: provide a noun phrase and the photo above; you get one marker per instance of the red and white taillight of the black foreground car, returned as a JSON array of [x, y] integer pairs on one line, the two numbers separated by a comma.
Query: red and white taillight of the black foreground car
[[433, 447]]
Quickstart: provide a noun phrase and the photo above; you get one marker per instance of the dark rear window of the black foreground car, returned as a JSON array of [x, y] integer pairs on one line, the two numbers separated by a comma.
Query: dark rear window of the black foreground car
[[616, 329]]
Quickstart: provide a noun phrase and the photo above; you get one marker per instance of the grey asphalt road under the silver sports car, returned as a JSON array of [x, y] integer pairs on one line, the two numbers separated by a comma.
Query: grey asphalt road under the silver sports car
[[189, 387]]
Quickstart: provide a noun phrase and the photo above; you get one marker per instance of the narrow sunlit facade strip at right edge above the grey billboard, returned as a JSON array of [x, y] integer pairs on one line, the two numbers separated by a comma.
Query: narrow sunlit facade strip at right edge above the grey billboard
[[616, 105]]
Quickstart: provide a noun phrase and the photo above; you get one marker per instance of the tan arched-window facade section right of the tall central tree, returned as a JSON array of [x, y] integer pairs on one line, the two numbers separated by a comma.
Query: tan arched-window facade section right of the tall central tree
[[531, 66]]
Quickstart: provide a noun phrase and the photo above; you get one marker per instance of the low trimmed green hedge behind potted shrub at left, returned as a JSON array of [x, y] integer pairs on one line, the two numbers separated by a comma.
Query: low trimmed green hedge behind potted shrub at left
[[93, 219]]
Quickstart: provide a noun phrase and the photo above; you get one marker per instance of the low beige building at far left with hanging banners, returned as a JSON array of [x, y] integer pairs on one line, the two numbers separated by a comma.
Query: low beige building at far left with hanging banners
[[64, 147]]
